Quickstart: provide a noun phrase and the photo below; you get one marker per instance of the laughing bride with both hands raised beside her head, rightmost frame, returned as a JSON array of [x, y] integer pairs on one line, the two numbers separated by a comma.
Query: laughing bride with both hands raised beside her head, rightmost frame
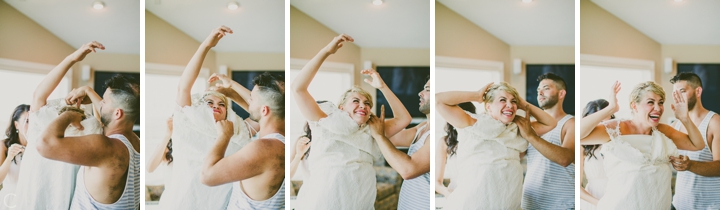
[[637, 150]]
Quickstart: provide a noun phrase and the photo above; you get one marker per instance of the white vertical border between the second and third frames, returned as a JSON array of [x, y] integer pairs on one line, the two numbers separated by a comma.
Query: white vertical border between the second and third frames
[[288, 81]]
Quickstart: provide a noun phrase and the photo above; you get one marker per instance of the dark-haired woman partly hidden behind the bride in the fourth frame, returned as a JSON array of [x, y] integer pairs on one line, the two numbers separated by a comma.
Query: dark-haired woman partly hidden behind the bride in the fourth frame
[[446, 149]]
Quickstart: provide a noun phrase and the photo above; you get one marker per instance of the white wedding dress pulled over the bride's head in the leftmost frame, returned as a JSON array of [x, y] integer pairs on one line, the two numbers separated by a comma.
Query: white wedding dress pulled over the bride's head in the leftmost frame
[[45, 183]]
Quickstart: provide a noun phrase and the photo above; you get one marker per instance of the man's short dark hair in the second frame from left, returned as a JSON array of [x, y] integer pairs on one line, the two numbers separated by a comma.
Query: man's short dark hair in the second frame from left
[[272, 87]]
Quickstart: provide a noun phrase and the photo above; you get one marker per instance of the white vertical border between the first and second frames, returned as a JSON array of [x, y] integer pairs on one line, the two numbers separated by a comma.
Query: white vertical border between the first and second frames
[[143, 153]]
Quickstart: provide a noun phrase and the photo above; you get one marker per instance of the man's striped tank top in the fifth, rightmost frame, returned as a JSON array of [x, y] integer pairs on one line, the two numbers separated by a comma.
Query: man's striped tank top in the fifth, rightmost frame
[[693, 191]]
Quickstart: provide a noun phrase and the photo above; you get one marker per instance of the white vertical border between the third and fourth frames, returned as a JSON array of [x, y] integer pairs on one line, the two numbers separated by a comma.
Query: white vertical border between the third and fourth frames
[[432, 104]]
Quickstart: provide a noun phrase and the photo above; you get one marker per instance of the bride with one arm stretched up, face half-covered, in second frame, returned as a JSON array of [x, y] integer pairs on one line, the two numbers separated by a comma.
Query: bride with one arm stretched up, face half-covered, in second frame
[[194, 134]]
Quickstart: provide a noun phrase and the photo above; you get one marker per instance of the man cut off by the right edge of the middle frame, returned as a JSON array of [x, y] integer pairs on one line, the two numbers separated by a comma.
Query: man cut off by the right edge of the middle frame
[[414, 166]]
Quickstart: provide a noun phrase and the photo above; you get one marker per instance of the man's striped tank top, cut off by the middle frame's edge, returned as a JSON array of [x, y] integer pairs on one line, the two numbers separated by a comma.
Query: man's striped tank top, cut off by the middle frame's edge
[[415, 192]]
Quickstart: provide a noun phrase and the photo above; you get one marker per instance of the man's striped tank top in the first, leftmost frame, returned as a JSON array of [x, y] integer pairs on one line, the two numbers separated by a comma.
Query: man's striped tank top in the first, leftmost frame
[[130, 198]]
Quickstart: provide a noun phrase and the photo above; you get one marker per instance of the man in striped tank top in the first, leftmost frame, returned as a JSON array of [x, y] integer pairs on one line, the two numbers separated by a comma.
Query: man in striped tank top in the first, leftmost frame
[[109, 176]]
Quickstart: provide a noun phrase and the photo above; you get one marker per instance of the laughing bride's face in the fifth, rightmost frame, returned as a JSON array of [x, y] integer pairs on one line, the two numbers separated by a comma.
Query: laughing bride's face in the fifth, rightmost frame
[[649, 109]]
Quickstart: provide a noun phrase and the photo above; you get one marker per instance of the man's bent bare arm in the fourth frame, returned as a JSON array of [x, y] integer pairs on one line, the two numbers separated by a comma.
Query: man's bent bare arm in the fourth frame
[[562, 155]]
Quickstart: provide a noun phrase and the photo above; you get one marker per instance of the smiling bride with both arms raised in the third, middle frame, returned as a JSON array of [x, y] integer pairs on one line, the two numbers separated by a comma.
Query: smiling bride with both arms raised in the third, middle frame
[[343, 150]]
